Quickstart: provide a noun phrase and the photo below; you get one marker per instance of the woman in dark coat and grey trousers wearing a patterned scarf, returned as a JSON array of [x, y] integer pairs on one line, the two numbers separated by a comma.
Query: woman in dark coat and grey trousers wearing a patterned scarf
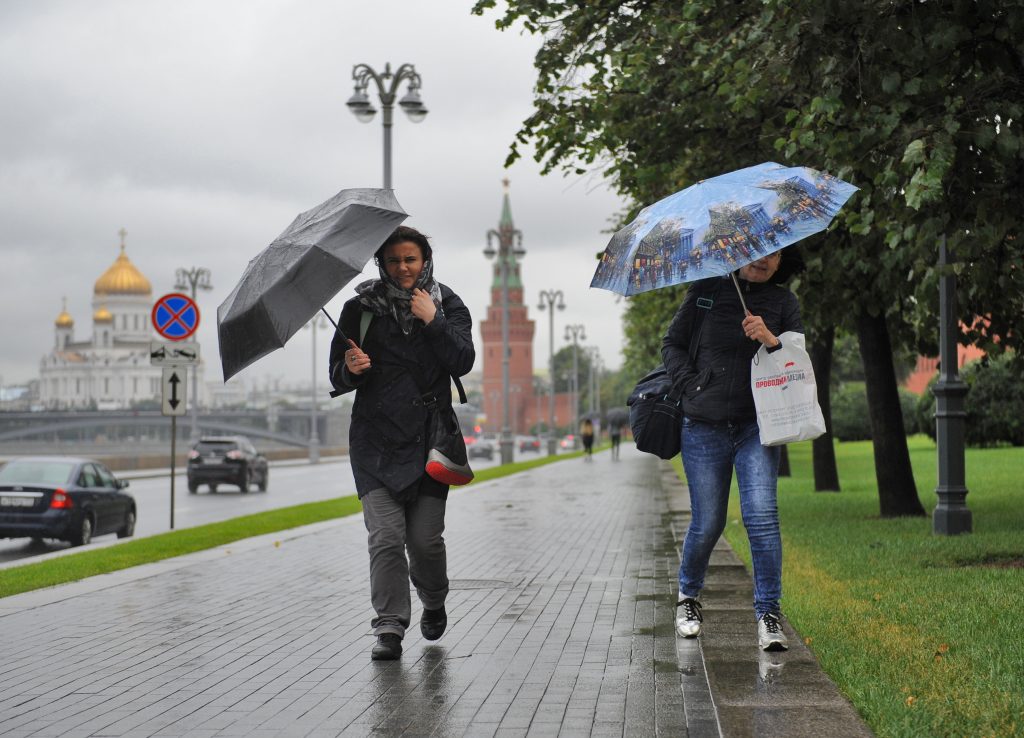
[[418, 334]]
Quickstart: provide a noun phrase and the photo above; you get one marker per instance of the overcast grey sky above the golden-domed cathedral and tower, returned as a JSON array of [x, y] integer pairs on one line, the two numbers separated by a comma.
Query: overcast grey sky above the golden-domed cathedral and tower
[[203, 128]]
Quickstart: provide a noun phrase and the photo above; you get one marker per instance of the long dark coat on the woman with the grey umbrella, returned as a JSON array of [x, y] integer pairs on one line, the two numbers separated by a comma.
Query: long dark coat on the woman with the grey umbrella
[[388, 440]]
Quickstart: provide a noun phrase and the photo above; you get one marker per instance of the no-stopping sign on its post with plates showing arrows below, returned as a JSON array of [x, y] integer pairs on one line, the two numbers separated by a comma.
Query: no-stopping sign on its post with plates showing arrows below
[[176, 317]]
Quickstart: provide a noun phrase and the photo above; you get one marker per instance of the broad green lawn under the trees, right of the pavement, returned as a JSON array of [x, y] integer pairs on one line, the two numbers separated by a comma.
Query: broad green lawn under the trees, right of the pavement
[[925, 634]]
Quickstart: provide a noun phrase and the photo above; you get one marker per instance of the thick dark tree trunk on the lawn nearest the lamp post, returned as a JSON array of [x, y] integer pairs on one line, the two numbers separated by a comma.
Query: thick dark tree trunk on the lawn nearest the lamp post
[[898, 492]]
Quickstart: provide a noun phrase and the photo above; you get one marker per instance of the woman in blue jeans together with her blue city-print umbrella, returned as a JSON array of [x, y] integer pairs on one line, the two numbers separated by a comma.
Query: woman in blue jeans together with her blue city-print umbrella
[[729, 237]]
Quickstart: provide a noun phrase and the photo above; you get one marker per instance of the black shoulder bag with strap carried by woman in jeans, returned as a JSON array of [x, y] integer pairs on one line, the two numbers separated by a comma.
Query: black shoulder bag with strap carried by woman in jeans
[[657, 407]]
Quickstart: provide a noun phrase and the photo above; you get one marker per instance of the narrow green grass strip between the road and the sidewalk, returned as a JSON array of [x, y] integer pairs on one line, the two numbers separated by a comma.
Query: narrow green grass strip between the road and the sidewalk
[[90, 562]]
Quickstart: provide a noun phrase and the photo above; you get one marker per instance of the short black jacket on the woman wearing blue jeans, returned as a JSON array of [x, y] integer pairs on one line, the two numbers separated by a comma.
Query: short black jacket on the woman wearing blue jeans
[[717, 388]]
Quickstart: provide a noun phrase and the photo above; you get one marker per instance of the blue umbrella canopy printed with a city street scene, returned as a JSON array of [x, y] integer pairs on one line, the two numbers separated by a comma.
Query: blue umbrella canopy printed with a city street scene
[[718, 226]]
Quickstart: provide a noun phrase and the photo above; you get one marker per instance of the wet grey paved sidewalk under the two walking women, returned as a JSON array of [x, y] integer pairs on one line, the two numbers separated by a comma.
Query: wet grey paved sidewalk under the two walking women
[[561, 623]]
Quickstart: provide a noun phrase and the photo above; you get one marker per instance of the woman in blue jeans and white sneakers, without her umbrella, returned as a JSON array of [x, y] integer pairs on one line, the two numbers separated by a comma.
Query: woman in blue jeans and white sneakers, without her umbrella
[[720, 431]]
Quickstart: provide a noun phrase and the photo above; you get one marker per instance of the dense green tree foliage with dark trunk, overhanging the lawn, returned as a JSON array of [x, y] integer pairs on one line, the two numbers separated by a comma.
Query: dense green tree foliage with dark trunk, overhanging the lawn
[[918, 104]]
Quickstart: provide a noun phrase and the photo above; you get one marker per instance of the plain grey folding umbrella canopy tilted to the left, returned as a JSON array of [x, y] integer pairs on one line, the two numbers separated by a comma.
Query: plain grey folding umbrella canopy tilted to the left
[[286, 284]]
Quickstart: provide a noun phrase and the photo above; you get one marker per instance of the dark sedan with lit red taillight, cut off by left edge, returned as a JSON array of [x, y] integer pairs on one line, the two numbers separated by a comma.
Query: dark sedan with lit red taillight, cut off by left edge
[[63, 498]]
